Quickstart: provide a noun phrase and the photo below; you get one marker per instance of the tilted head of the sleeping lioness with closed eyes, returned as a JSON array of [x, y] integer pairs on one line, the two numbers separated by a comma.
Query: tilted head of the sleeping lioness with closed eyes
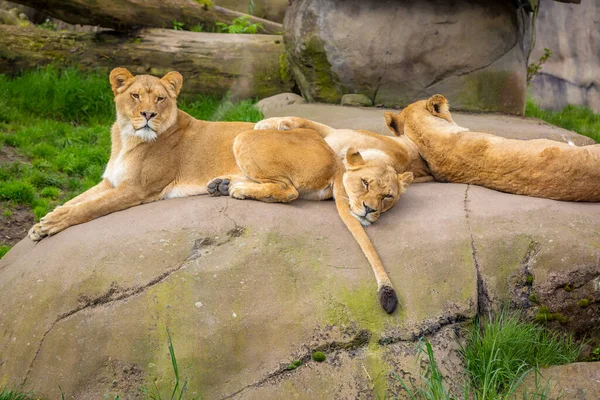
[[373, 187]]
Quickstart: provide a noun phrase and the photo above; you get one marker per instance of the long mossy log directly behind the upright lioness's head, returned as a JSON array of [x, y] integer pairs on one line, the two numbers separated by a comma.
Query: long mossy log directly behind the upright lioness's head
[[211, 63]]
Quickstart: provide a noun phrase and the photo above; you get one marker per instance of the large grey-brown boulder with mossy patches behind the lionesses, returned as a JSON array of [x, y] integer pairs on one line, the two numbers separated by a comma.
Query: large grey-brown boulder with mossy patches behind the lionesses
[[474, 53]]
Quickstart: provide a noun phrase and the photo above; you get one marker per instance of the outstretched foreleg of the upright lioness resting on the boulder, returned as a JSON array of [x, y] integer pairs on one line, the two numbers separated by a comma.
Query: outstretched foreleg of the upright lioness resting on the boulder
[[109, 201]]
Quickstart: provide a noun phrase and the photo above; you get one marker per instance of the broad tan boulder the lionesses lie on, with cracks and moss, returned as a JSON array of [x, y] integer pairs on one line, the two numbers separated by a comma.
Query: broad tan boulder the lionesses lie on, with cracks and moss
[[246, 288]]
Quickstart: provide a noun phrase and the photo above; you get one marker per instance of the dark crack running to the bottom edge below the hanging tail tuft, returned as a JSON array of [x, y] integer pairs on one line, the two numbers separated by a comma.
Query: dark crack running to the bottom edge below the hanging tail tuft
[[361, 339]]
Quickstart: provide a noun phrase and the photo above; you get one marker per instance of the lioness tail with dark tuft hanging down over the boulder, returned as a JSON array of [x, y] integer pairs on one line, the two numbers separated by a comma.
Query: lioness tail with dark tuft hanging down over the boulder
[[387, 295]]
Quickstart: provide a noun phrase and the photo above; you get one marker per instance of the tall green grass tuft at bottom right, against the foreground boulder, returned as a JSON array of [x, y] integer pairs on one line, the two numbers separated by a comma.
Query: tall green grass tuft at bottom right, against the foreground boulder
[[498, 354]]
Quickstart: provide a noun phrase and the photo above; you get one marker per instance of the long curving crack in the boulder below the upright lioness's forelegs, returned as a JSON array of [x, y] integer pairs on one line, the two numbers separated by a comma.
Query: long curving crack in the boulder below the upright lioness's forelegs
[[116, 293]]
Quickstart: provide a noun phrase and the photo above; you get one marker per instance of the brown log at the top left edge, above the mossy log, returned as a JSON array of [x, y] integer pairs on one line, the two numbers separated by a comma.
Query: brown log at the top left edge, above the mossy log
[[133, 14]]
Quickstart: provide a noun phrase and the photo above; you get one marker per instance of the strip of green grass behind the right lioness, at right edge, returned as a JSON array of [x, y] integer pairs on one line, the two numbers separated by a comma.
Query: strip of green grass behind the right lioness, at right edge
[[575, 118]]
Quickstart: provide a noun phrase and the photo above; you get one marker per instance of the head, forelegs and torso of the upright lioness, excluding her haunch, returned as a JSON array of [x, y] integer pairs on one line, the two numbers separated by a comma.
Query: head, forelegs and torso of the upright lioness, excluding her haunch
[[174, 156]]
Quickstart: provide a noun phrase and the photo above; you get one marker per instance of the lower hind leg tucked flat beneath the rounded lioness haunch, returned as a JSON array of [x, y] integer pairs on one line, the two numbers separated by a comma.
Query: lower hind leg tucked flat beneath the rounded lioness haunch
[[263, 190]]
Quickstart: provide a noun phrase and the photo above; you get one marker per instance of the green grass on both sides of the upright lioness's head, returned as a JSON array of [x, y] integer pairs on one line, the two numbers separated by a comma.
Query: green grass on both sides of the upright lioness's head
[[60, 121]]
